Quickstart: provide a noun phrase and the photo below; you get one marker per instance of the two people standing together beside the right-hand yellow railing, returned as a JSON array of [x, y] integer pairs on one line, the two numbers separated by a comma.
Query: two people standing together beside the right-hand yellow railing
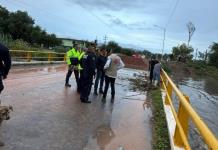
[[155, 70]]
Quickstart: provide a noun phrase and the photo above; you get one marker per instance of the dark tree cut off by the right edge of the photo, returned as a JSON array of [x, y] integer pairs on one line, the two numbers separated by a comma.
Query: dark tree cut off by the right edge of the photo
[[213, 56]]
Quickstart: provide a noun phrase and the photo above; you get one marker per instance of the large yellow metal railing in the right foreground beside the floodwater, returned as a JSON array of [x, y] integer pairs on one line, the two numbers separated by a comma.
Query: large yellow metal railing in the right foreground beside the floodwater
[[182, 116]]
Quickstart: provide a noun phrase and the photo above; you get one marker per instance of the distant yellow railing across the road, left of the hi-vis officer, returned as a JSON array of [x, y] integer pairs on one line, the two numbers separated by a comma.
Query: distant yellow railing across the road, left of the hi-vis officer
[[28, 56]]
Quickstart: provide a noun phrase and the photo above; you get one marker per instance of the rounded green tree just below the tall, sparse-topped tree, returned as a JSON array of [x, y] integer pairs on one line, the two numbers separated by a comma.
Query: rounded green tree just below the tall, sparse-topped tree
[[182, 51]]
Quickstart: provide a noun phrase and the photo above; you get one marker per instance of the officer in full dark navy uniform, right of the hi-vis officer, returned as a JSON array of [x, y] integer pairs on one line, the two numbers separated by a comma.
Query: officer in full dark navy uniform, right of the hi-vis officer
[[88, 74]]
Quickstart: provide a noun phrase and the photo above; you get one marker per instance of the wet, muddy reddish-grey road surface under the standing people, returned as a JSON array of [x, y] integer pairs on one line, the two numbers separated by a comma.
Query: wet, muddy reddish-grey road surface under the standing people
[[48, 116]]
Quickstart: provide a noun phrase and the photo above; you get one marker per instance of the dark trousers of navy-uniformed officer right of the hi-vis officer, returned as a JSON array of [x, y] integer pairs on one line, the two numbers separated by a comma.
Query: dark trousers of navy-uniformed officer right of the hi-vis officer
[[86, 86]]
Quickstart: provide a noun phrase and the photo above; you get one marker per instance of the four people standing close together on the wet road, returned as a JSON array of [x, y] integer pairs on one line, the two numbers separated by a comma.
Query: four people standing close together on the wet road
[[88, 64]]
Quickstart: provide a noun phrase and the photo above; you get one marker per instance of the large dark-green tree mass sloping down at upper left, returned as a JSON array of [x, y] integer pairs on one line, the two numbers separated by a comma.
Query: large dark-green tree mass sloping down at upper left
[[18, 31]]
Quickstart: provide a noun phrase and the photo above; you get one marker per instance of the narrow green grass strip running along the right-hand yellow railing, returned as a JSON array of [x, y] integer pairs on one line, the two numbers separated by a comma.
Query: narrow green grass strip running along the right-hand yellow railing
[[160, 130]]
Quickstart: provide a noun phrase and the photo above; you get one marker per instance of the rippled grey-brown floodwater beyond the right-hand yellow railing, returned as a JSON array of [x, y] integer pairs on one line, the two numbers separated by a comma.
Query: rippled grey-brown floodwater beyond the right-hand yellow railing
[[203, 94]]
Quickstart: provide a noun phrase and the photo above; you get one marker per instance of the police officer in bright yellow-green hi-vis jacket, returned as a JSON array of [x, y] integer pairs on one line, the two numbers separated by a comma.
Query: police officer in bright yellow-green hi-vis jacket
[[72, 61]]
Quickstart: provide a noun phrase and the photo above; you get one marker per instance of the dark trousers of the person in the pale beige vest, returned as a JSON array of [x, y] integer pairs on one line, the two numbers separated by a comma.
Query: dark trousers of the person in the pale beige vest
[[111, 81]]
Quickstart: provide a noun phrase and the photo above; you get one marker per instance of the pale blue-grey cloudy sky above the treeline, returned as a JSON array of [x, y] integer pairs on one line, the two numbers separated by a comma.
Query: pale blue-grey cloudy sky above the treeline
[[128, 22]]
